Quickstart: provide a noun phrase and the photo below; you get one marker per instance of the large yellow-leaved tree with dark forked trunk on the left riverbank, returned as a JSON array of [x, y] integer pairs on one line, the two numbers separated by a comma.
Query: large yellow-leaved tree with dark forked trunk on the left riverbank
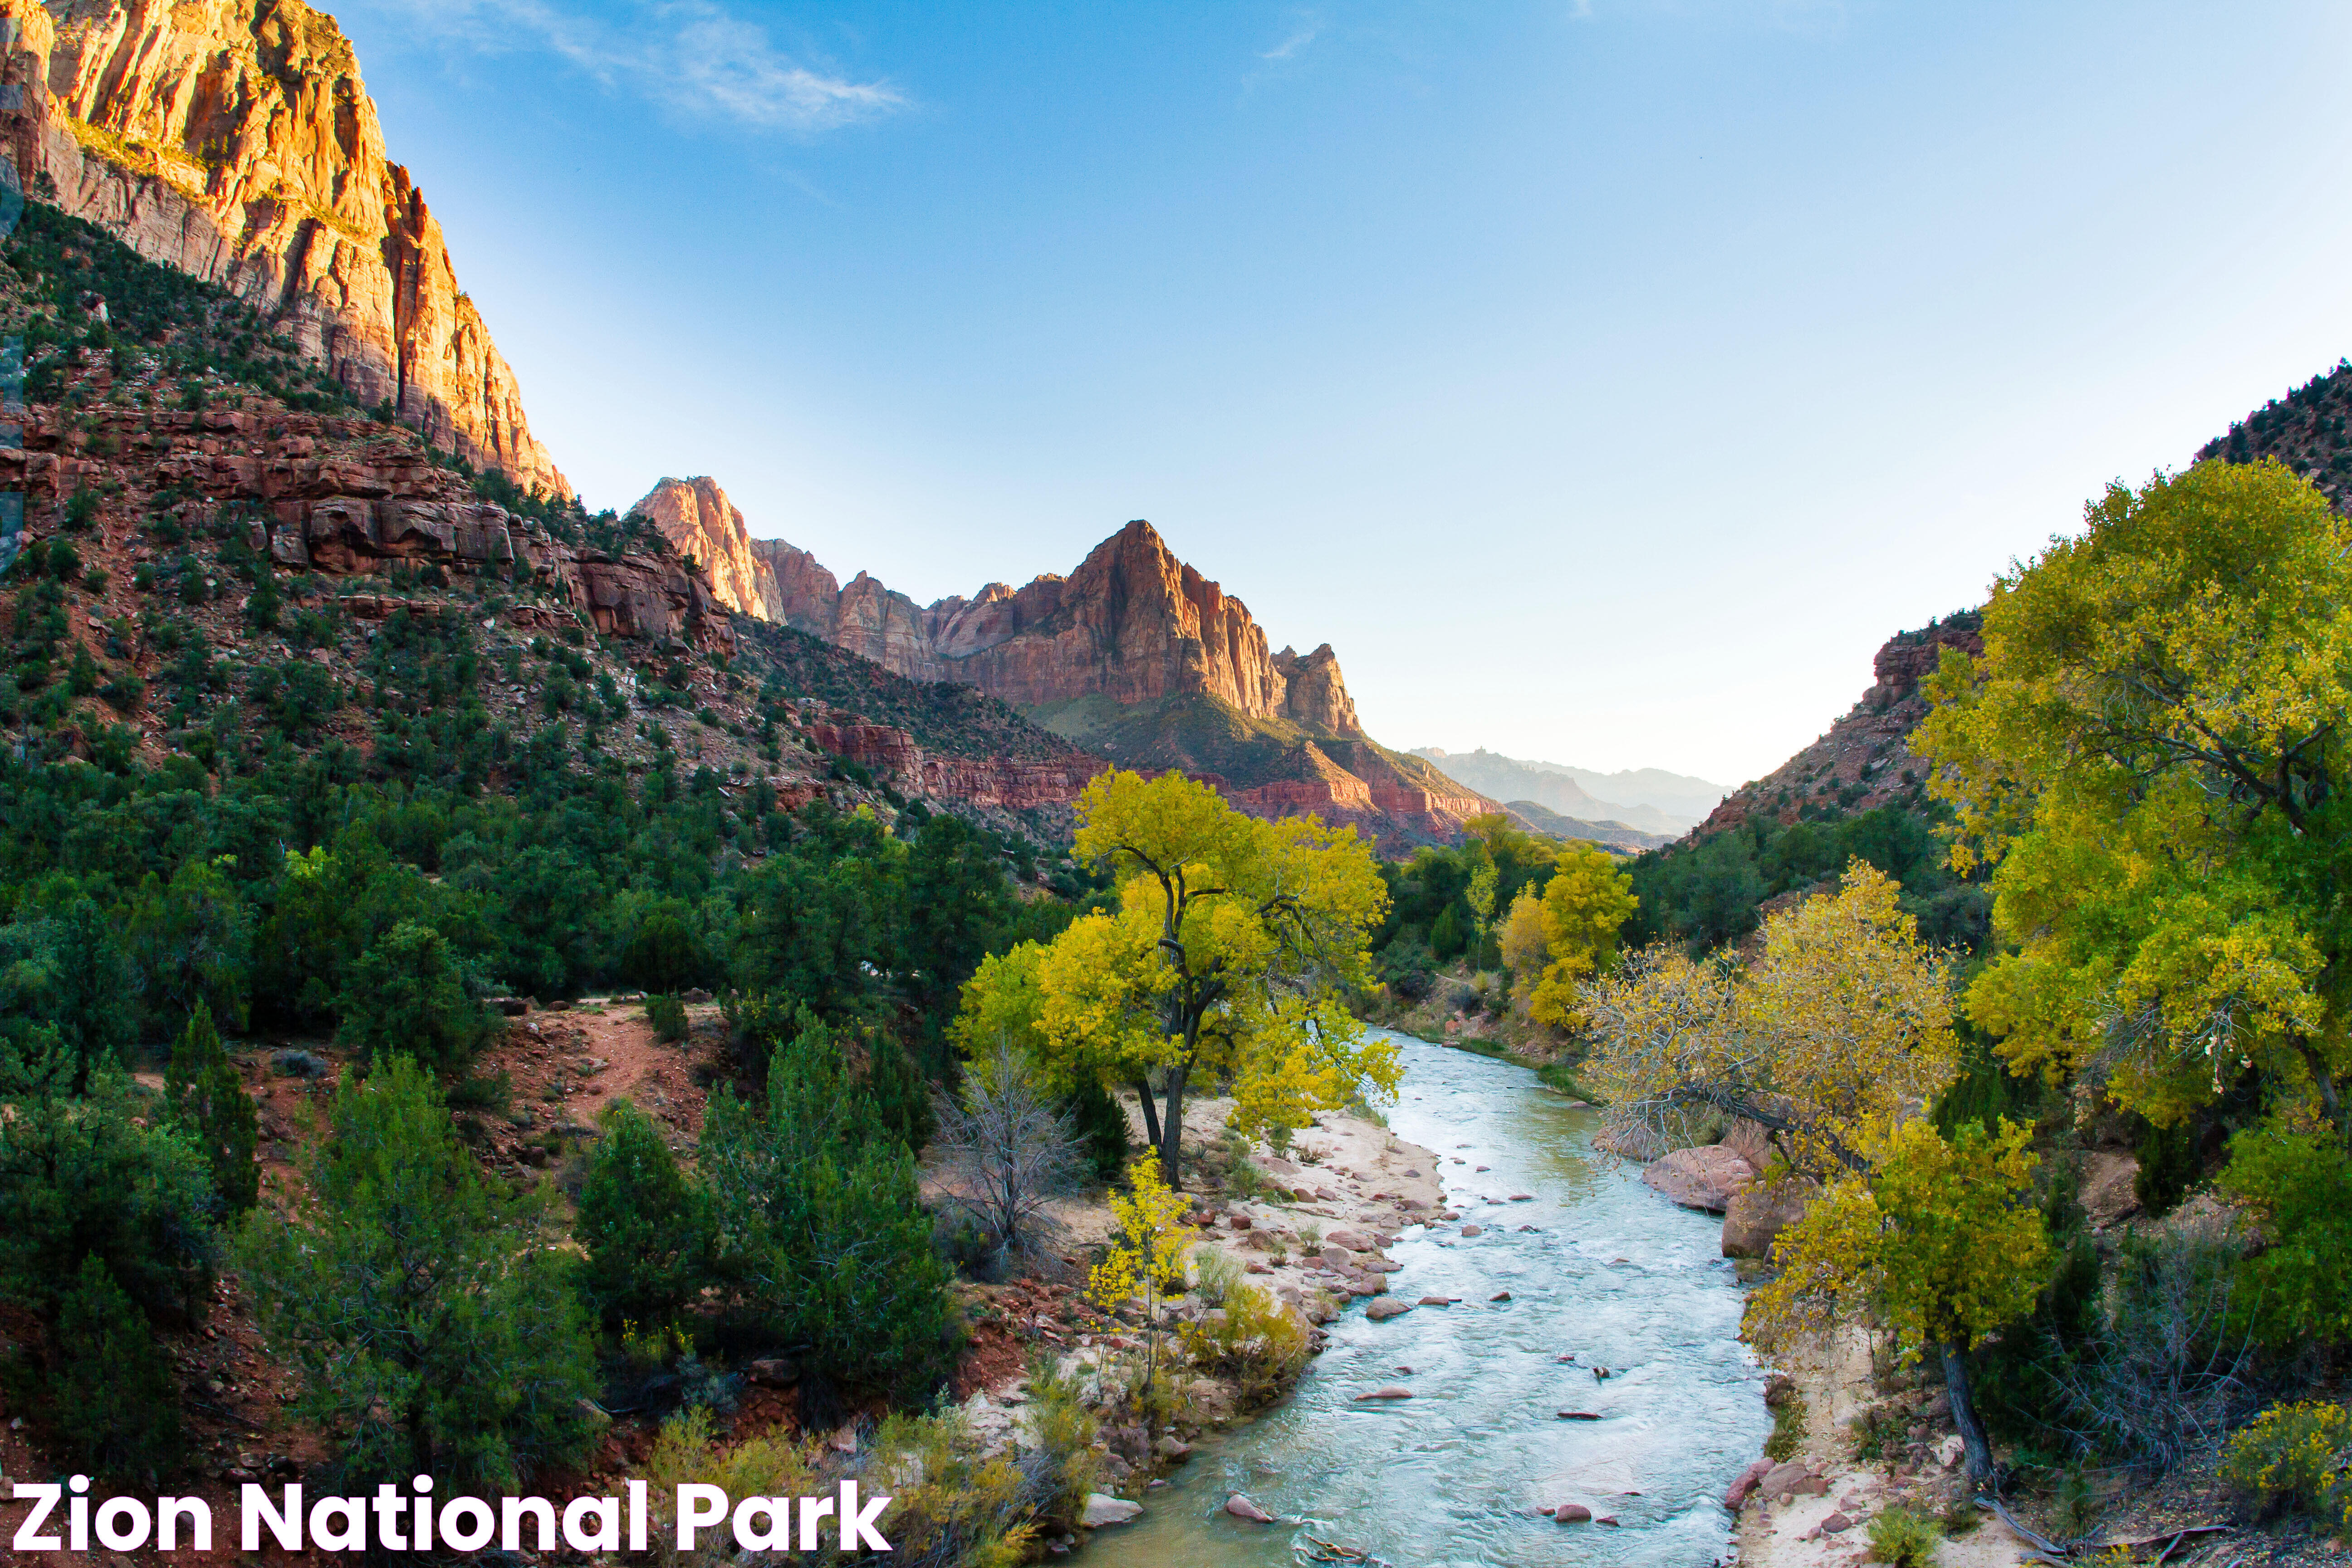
[[1231, 953]]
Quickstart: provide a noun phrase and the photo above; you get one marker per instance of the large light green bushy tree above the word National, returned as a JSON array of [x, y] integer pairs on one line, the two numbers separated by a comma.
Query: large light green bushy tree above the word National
[[427, 1311]]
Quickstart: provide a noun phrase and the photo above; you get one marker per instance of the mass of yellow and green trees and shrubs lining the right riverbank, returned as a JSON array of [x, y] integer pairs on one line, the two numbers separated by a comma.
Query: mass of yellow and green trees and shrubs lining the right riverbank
[[2141, 784]]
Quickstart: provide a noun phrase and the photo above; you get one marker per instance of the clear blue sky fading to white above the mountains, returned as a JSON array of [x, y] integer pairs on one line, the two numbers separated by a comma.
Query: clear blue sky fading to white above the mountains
[[1603, 380]]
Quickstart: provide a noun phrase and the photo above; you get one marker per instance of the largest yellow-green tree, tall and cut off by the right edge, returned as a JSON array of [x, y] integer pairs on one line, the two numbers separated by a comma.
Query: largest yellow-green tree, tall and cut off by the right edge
[[2151, 756]]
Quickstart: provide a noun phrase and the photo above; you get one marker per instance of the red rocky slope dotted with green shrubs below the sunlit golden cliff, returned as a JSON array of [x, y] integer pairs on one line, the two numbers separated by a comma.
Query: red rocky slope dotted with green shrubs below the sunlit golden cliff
[[225, 570]]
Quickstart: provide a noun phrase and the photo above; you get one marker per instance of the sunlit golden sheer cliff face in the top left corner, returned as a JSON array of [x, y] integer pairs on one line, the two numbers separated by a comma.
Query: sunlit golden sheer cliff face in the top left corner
[[236, 142]]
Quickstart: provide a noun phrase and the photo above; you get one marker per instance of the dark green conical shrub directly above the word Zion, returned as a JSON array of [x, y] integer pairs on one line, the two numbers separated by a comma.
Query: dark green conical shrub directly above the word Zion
[[109, 1386]]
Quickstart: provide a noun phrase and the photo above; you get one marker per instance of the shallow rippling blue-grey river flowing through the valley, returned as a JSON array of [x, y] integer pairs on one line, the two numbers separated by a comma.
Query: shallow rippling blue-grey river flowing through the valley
[[1612, 1275]]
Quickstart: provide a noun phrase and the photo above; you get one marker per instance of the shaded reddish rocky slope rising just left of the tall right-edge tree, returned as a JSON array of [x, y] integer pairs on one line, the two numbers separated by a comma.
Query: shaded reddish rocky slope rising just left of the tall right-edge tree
[[1864, 760]]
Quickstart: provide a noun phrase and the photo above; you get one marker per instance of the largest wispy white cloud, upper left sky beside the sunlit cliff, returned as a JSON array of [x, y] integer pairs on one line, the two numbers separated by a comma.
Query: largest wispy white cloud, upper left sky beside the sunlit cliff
[[690, 55]]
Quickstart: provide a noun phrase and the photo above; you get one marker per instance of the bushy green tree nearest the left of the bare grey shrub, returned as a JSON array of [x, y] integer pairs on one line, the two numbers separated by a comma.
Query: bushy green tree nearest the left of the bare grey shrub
[[822, 1226]]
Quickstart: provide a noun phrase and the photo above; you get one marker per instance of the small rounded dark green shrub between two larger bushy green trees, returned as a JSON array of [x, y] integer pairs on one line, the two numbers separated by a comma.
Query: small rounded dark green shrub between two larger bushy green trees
[[643, 1224]]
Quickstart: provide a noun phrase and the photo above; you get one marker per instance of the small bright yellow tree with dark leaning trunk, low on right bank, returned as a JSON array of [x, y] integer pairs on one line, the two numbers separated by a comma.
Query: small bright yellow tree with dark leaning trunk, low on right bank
[[1939, 1238]]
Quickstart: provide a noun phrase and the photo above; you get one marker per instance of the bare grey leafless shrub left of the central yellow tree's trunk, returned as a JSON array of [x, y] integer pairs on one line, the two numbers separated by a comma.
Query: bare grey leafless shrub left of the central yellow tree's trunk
[[1008, 1146]]
